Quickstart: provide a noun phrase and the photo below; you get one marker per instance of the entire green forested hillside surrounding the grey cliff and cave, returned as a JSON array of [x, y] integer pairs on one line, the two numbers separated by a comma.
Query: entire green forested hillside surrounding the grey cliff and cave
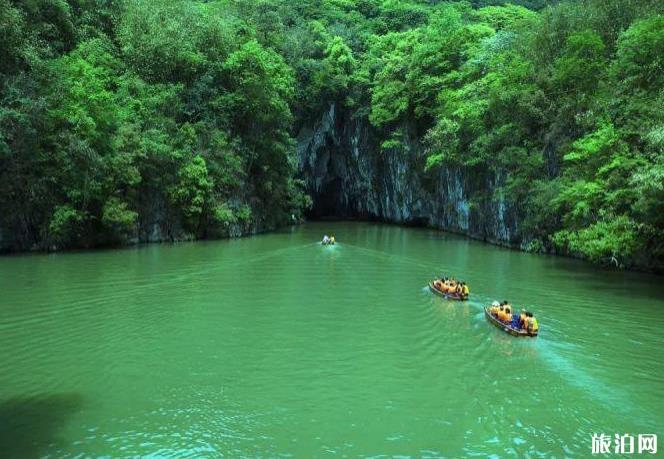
[[169, 119]]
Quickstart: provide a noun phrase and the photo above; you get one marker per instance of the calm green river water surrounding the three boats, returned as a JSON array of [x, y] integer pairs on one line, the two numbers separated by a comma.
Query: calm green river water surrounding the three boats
[[274, 346]]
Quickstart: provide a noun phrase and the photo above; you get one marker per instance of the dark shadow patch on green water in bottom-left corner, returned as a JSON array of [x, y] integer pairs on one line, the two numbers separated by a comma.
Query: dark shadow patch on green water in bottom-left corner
[[30, 425]]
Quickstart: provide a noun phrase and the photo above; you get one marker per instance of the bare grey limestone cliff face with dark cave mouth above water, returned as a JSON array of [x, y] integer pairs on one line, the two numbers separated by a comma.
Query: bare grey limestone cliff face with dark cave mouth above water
[[348, 176]]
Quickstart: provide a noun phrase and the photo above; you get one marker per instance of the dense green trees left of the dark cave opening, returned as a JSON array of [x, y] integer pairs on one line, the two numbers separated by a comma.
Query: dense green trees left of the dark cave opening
[[109, 108]]
